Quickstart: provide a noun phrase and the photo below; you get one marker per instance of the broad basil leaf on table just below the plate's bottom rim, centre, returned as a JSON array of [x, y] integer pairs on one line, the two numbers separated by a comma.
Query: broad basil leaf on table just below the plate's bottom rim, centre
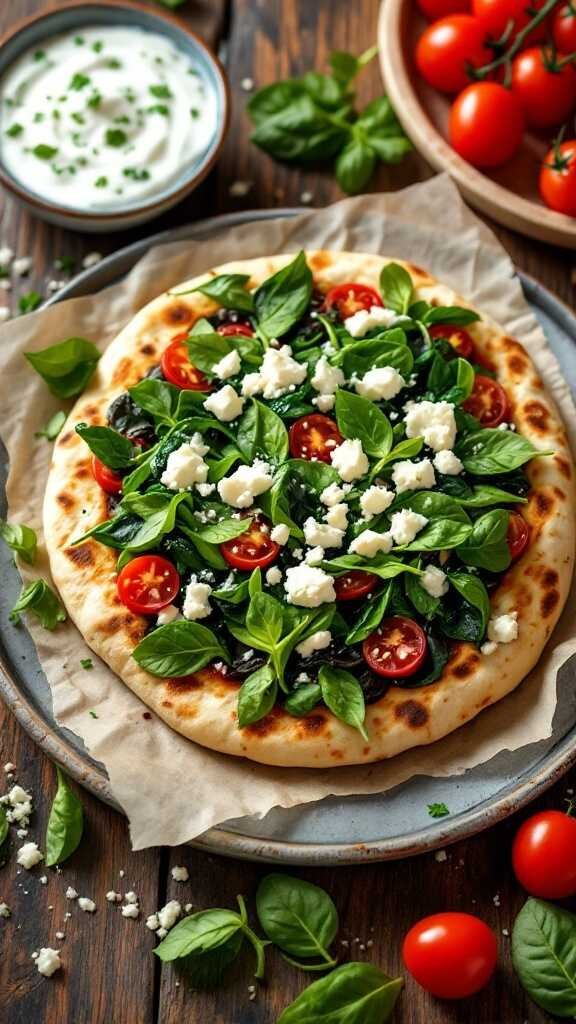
[[300, 918]]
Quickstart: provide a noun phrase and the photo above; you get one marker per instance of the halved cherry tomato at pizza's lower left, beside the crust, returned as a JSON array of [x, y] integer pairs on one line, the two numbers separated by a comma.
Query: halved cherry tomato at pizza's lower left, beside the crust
[[148, 584]]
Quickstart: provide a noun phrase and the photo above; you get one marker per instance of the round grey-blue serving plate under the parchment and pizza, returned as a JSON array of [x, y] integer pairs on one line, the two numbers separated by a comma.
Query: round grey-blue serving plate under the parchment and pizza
[[348, 831]]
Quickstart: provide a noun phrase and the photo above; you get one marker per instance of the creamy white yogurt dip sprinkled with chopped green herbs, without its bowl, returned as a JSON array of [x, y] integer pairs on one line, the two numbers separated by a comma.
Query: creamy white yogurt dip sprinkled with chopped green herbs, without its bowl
[[104, 119]]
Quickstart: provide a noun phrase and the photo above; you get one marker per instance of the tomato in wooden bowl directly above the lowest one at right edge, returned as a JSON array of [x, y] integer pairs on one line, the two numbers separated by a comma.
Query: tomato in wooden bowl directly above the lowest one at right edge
[[546, 90]]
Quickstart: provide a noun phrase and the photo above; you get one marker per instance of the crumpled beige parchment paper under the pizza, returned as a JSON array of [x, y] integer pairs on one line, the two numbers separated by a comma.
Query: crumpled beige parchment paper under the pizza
[[171, 789]]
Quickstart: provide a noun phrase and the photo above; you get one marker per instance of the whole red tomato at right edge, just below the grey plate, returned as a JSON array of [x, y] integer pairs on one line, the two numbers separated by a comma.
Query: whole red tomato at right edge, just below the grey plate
[[545, 856]]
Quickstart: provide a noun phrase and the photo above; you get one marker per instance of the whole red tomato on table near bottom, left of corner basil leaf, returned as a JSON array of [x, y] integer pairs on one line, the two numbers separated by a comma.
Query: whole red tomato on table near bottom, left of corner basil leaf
[[450, 955]]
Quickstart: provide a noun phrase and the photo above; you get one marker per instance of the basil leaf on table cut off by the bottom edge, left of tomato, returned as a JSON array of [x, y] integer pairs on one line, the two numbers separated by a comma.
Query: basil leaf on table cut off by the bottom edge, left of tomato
[[354, 994]]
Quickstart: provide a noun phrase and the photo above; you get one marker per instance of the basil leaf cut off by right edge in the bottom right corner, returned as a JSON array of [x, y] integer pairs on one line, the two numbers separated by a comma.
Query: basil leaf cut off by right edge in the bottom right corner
[[545, 956]]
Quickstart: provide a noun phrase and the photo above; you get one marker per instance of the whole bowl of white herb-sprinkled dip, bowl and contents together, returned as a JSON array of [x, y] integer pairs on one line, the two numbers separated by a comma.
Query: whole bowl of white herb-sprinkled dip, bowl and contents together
[[110, 114]]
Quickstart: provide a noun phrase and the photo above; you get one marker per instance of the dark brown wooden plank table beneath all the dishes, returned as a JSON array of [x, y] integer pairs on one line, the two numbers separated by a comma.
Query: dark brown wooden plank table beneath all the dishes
[[110, 975]]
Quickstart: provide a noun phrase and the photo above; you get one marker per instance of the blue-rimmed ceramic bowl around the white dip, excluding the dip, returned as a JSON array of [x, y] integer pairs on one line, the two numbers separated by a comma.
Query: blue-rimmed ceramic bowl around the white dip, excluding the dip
[[32, 32]]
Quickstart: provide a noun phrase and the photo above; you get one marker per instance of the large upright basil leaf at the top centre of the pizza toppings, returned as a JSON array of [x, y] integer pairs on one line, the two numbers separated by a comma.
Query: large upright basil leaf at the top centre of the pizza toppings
[[284, 298]]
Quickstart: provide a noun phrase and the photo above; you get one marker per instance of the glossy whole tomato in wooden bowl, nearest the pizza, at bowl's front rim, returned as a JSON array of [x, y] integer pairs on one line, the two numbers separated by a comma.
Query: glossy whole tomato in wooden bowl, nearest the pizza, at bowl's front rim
[[486, 124]]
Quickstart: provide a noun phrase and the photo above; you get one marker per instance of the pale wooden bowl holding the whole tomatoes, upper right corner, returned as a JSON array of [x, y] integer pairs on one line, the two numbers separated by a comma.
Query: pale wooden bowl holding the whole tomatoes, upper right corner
[[509, 194]]
